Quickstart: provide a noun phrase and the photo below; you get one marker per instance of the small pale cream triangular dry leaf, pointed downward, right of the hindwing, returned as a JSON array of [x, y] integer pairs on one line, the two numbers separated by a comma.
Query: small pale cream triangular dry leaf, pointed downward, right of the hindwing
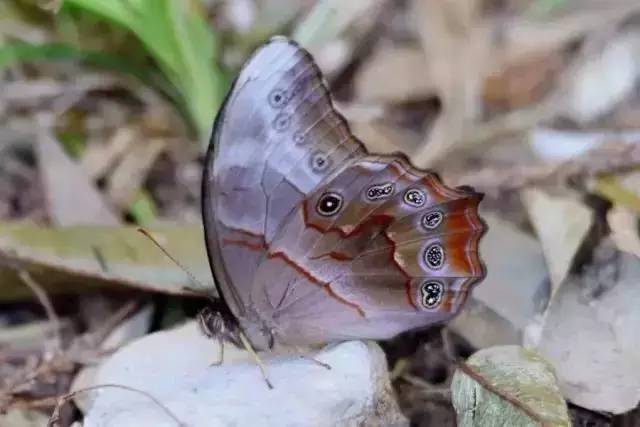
[[561, 223]]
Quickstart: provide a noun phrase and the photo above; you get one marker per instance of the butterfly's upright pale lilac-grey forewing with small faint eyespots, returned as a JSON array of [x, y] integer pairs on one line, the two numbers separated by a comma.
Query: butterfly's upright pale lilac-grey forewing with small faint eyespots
[[276, 138]]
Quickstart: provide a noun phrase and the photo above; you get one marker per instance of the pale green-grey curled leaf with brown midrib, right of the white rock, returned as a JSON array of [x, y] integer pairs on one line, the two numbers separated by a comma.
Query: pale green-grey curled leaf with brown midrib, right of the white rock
[[509, 386]]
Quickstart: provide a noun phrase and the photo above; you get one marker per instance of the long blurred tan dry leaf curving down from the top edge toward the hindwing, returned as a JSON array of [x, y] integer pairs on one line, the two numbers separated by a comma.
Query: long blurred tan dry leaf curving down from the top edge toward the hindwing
[[456, 44]]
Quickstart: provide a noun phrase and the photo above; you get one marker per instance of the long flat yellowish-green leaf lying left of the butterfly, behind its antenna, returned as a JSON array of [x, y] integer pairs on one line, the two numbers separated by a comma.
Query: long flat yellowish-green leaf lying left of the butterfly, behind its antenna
[[74, 259]]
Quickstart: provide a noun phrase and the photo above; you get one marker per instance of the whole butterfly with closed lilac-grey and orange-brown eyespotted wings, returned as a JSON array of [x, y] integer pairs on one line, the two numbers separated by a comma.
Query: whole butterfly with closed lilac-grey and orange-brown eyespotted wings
[[311, 238]]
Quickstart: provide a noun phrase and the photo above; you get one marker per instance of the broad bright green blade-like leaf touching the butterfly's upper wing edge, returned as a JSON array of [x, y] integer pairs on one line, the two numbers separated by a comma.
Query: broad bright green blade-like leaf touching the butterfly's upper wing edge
[[183, 46]]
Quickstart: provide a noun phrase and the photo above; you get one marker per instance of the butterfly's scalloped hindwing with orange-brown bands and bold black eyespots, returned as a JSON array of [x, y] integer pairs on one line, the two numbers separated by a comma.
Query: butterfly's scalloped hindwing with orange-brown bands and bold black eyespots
[[379, 249]]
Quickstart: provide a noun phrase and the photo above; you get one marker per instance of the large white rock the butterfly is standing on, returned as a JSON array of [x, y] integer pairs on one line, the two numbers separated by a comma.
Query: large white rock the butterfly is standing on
[[175, 368]]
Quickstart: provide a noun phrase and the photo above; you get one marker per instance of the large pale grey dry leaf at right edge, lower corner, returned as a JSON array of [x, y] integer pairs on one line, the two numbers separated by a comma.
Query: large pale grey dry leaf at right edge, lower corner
[[592, 340]]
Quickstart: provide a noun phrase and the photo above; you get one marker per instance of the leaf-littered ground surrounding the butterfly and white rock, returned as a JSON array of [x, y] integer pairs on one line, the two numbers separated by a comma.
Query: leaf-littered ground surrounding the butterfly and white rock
[[535, 104]]
